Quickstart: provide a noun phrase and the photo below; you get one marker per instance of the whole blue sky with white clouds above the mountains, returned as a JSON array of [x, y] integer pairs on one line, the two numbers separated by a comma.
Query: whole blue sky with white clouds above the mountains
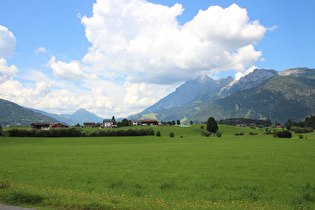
[[118, 57]]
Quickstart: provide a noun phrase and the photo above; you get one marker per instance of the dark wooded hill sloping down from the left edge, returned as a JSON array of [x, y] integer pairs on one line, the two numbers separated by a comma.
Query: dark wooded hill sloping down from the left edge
[[15, 115]]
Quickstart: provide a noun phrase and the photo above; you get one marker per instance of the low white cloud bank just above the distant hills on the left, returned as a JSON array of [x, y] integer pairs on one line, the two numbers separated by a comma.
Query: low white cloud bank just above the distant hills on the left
[[45, 96]]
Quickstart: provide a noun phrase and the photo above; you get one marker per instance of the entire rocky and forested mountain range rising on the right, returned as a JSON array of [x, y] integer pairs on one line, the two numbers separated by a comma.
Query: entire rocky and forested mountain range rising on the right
[[262, 94]]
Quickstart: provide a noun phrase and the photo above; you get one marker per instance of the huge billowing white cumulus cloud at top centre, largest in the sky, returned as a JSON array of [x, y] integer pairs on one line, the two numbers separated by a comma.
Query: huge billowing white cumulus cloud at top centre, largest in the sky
[[145, 40]]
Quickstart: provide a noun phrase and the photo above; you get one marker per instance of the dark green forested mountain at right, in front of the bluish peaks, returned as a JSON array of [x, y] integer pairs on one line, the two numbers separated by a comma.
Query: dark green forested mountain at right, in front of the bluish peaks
[[280, 98]]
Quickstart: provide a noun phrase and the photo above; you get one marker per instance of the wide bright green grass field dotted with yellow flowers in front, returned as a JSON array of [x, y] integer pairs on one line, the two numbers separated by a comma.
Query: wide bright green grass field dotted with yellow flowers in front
[[185, 172]]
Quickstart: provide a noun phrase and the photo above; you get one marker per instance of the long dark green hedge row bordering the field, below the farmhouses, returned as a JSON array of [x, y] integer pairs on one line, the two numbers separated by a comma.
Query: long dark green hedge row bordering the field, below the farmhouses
[[76, 132]]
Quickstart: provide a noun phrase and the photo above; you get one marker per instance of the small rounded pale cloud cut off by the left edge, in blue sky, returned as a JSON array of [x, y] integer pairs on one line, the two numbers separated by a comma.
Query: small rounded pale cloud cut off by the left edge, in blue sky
[[7, 42]]
